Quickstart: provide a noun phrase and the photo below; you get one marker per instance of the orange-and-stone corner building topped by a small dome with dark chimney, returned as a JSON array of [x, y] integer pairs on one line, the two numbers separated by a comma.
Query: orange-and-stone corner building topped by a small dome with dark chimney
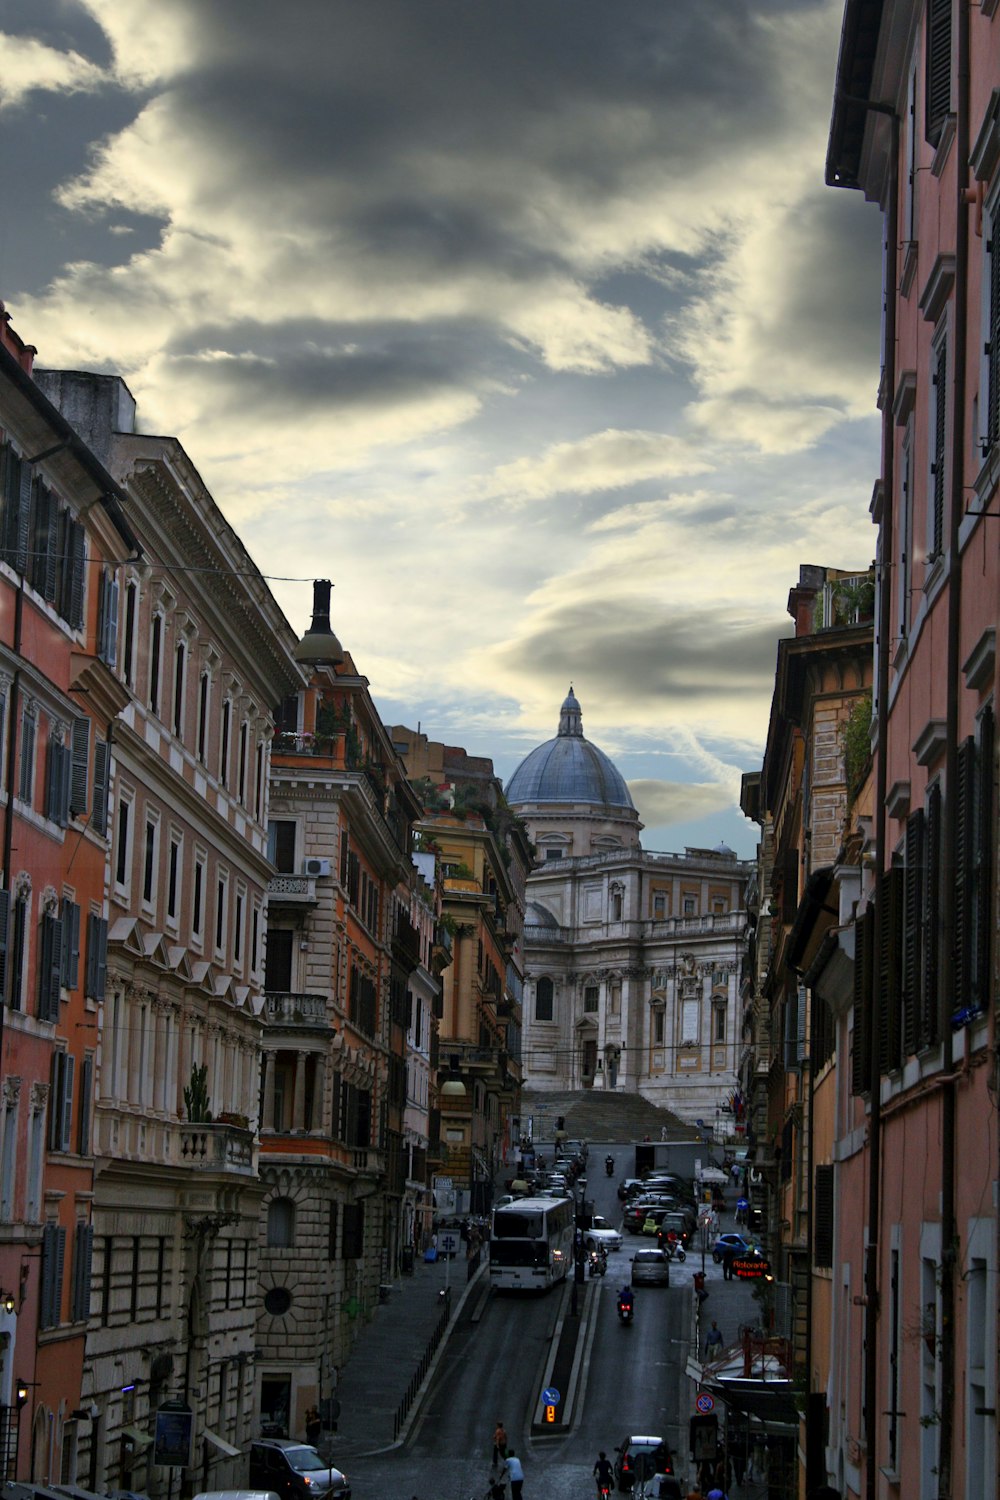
[[344, 944]]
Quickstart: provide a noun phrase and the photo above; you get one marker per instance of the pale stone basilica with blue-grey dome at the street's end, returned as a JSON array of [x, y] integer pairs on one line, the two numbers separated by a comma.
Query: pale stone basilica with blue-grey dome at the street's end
[[632, 959]]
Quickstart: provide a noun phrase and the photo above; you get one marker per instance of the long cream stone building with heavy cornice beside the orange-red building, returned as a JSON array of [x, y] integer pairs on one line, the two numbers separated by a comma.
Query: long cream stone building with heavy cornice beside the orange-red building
[[199, 655]]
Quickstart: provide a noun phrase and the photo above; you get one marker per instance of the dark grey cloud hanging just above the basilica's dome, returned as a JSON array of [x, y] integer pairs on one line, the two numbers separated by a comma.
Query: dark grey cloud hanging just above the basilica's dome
[[635, 652]]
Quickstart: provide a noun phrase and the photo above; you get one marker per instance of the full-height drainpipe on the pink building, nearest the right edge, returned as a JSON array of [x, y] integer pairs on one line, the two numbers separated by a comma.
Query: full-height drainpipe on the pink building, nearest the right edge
[[950, 1229]]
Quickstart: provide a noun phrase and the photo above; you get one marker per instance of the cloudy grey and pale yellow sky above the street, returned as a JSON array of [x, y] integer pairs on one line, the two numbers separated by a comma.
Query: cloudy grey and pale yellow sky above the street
[[530, 323]]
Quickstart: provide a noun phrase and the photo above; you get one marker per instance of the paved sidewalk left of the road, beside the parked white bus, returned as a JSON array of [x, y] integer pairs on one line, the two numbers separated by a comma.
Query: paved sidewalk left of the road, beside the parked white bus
[[388, 1355]]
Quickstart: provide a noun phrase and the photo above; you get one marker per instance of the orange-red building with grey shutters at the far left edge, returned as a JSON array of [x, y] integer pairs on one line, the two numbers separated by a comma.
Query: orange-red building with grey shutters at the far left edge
[[62, 535]]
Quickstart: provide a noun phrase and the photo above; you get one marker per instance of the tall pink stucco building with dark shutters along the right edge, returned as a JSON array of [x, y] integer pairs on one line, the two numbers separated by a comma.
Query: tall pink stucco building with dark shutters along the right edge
[[912, 1387]]
